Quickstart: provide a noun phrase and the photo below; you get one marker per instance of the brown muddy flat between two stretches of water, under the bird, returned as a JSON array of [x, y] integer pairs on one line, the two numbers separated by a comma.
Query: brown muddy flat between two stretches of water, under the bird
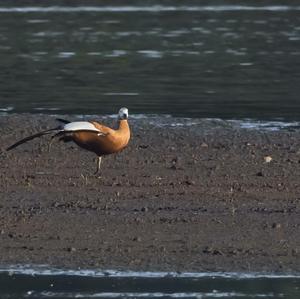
[[189, 198]]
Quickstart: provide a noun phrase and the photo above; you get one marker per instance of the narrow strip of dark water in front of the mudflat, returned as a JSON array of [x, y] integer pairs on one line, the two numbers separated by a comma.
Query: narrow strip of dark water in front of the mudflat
[[42, 282]]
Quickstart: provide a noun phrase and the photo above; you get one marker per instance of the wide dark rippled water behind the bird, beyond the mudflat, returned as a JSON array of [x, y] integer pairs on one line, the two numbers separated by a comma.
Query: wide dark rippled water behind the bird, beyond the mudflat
[[225, 59]]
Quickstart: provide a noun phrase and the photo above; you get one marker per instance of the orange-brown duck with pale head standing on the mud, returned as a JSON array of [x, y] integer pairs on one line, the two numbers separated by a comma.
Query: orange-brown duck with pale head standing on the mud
[[89, 135]]
